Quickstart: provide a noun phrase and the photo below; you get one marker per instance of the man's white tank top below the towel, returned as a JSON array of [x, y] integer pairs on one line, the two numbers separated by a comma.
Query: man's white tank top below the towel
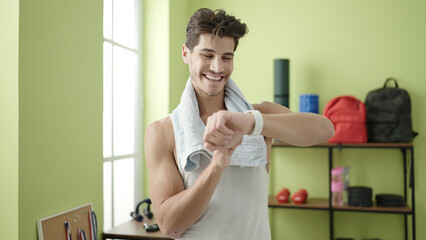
[[238, 208]]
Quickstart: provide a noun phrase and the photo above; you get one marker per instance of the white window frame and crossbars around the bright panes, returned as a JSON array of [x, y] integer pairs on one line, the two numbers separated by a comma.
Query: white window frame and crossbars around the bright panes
[[137, 155]]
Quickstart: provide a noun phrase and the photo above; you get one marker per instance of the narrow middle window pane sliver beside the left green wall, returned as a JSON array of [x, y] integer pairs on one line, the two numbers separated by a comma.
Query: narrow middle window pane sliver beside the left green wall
[[107, 113]]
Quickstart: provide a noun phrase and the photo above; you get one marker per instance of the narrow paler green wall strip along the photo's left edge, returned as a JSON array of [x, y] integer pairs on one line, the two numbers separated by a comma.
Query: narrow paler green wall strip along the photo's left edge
[[9, 51]]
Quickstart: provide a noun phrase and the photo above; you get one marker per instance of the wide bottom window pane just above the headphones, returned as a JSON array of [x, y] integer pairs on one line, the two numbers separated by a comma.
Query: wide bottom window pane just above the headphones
[[123, 190]]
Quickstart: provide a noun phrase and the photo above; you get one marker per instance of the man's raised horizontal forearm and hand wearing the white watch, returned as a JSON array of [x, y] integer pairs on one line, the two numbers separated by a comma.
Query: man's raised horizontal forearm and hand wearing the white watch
[[299, 129]]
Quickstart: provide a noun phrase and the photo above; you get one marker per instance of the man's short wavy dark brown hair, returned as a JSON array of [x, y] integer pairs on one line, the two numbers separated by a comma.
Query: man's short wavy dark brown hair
[[215, 22]]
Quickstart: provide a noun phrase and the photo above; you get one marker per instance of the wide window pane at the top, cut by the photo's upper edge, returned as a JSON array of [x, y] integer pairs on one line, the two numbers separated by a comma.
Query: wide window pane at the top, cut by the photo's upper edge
[[124, 29]]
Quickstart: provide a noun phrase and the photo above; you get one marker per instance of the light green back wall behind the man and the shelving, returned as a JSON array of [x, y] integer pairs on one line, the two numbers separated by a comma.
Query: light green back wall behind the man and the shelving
[[335, 48]]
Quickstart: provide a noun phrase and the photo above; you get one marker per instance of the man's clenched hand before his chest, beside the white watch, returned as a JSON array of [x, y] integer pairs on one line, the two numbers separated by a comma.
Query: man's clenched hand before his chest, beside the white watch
[[225, 131]]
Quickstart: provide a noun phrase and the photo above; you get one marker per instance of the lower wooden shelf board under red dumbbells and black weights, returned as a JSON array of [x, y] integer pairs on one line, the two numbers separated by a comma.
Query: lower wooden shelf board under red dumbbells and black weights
[[322, 204]]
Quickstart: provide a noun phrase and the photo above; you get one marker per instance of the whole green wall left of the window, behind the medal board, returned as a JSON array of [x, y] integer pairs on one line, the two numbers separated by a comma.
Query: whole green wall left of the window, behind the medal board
[[51, 77]]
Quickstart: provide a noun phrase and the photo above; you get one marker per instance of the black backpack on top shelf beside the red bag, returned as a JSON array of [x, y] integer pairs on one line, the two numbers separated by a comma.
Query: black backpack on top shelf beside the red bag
[[389, 115]]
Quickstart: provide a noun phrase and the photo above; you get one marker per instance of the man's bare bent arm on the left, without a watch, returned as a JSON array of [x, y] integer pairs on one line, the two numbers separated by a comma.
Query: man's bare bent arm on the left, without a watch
[[177, 208]]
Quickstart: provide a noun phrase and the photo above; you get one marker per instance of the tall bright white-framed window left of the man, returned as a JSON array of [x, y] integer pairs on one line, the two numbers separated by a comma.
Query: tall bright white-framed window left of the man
[[122, 110]]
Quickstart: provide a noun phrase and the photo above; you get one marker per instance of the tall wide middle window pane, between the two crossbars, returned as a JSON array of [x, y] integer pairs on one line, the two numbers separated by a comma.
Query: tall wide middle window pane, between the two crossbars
[[124, 84]]
